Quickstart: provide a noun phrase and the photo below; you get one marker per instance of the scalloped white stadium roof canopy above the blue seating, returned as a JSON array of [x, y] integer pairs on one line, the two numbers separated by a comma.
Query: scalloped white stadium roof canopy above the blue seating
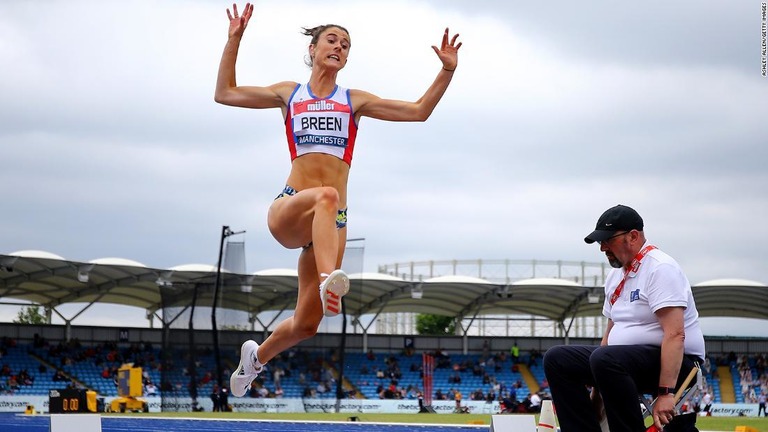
[[50, 281]]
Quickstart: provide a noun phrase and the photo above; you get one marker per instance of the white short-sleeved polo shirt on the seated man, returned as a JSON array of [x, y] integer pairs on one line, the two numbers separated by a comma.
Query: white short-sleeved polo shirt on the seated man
[[658, 283]]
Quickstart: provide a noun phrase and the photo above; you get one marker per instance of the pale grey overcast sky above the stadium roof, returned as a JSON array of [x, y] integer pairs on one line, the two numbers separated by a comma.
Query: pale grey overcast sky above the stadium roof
[[112, 145]]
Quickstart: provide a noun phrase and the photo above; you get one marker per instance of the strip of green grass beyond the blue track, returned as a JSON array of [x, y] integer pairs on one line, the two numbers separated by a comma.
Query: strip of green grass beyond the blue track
[[703, 423]]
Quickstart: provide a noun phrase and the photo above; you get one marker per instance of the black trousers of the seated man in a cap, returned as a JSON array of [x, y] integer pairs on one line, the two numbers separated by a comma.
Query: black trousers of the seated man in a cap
[[620, 372]]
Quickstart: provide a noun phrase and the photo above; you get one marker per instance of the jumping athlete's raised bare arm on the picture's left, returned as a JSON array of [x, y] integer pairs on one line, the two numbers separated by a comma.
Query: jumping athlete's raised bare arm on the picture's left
[[227, 90]]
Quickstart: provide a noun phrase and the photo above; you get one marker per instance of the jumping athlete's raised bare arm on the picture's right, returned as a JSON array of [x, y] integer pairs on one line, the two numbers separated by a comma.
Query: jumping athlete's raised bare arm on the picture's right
[[370, 105]]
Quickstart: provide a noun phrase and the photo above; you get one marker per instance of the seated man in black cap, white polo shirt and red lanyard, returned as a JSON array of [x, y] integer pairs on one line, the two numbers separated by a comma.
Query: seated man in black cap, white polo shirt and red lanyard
[[652, 338]]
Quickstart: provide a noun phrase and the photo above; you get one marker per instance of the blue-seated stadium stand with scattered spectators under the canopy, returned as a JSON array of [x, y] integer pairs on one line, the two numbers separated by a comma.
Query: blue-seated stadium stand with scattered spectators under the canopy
[[32, 368]]
